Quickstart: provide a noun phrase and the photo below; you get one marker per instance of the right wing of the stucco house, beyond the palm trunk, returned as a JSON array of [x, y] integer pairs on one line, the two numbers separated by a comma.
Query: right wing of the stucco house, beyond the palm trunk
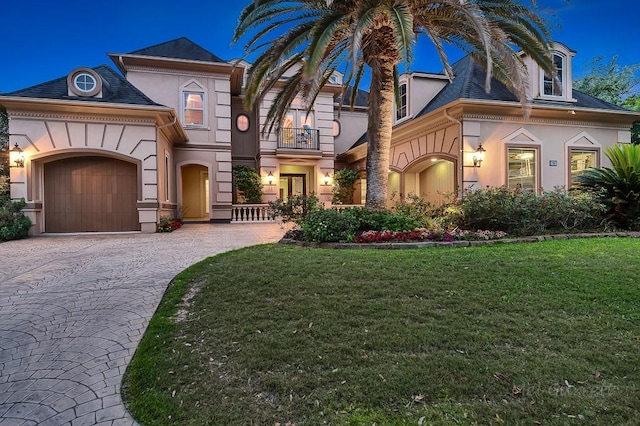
[[449, 136]]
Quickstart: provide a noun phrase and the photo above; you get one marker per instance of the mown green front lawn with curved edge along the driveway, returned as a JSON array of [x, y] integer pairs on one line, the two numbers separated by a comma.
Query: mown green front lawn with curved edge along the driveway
[[518, 334]]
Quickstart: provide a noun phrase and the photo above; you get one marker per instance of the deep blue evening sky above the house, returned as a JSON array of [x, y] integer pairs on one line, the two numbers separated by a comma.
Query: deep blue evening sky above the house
[[44, 39]]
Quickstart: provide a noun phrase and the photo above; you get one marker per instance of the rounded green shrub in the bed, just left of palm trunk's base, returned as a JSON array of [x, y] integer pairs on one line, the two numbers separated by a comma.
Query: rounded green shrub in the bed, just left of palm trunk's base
[[329, 225]]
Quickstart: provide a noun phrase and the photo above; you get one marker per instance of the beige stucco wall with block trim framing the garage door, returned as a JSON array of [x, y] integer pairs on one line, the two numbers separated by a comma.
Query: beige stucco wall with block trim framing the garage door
[[45, 137]]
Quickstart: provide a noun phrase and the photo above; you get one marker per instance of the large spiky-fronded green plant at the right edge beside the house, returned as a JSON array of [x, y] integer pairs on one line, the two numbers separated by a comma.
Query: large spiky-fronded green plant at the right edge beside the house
[[620, 183]]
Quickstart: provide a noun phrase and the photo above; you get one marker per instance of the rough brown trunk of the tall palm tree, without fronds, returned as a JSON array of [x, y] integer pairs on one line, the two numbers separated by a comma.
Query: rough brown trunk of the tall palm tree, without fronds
[[380, 116]]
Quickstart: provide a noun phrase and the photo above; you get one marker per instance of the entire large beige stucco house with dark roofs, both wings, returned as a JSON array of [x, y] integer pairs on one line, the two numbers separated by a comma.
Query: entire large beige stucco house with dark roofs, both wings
[[115, 151]]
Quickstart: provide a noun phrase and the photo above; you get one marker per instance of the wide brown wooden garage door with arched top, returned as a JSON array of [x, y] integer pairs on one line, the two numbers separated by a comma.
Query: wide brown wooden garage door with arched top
[[90, 194]]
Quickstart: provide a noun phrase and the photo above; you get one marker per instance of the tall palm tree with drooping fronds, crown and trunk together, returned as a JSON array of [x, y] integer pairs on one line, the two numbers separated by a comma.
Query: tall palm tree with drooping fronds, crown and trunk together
[[353, 35]]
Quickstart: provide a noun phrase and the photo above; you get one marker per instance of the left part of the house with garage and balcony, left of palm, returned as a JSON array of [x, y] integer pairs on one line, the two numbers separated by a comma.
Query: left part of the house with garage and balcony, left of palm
[[105, 152]]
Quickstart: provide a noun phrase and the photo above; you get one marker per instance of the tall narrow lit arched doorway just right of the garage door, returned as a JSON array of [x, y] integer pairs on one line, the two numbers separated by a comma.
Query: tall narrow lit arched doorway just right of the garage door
[[195, 192]]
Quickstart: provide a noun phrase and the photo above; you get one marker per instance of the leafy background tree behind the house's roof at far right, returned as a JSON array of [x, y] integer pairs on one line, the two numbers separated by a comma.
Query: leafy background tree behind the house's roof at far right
[[615, 84]]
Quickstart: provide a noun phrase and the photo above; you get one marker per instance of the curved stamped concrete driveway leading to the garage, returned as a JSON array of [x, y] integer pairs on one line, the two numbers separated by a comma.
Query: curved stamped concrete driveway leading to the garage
[[73, 309]]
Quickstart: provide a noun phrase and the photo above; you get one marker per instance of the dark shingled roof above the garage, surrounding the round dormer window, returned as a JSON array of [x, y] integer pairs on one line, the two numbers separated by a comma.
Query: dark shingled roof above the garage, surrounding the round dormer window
[[116, 90]]
